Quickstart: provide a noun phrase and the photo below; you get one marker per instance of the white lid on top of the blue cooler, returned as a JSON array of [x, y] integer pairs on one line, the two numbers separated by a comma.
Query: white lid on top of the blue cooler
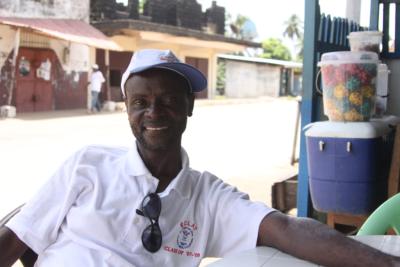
[[336, 129]]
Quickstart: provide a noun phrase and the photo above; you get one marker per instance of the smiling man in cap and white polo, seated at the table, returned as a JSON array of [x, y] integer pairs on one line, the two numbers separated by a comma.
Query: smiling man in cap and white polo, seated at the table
[[146, 207]]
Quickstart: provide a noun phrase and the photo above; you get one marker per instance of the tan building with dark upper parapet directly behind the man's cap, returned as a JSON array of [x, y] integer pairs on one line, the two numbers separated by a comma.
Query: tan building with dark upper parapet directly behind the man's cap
[[195, 36]]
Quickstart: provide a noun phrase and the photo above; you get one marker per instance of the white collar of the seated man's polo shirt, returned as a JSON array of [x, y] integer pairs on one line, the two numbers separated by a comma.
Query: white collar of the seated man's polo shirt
[[135, 166]]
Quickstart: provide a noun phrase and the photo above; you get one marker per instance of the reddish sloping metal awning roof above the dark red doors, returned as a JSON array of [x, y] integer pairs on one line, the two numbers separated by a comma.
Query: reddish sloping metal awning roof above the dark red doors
[[66, 29]]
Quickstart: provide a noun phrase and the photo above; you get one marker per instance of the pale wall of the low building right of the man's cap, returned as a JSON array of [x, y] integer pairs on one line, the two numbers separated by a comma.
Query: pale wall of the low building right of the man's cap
[[251, 80]]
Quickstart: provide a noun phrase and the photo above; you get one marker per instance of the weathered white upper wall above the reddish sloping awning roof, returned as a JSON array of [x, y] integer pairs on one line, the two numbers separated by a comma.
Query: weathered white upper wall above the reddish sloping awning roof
[[62, 9]]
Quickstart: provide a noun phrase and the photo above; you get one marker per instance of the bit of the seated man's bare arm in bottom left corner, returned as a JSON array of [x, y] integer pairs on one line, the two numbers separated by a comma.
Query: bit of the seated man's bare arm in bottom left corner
[[11, 247]]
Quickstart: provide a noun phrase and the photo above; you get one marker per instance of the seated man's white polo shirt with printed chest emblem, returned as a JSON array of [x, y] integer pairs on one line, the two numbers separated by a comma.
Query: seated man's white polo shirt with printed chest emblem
[[86, 214]]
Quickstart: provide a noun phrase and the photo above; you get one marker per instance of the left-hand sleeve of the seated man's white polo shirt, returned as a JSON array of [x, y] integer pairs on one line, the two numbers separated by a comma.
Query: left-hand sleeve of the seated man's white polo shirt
[[39, 221]]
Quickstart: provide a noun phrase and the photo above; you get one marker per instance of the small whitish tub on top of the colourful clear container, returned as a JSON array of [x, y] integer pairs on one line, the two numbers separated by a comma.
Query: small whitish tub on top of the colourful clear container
[[365, 41]]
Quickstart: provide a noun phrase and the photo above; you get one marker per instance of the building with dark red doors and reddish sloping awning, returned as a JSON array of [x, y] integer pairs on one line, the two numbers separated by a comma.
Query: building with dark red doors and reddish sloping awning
[[45, 58]]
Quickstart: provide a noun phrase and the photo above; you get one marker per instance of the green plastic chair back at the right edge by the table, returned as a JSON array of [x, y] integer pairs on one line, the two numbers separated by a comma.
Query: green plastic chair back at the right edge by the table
[[385, 217]]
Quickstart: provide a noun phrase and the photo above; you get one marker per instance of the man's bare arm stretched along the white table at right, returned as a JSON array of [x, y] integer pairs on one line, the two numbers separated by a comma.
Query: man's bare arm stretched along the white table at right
[[313, 241]]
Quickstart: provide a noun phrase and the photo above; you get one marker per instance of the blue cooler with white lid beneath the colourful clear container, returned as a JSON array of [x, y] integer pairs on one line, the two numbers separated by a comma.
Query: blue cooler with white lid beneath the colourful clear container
[[348, 165]]
